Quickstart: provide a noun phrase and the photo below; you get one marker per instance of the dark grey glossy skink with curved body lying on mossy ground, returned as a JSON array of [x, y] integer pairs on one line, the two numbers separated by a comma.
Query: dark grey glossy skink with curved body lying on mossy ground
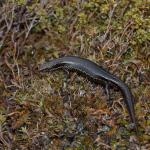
[[94, 72]]
